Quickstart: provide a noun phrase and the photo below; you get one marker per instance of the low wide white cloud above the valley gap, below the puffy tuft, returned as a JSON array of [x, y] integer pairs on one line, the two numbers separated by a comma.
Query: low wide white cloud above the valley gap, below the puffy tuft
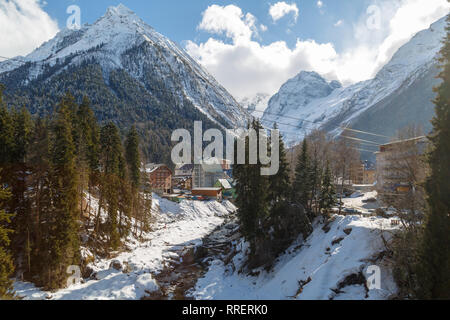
[[248, 68]]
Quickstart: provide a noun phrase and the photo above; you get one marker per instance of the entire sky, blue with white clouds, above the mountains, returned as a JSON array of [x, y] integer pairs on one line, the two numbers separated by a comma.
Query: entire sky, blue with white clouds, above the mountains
[[249, 46]]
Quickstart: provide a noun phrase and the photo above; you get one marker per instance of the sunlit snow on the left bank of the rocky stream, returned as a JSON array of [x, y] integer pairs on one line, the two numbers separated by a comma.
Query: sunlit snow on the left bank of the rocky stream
[[176, 226]]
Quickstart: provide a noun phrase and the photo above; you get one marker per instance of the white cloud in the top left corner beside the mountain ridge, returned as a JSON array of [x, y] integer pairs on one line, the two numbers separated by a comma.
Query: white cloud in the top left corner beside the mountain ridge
[[24, 26]]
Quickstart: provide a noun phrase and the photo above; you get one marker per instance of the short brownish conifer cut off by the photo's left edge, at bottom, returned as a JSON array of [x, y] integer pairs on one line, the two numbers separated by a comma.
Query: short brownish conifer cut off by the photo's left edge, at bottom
[[6, 262]]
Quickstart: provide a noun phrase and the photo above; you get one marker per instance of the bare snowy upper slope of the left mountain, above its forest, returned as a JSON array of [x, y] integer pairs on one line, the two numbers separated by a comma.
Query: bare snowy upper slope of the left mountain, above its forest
[[120, 40]]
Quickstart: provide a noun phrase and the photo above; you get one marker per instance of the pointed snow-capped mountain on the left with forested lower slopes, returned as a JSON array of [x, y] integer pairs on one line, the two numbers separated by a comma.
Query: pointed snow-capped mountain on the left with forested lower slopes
[[127, 69]]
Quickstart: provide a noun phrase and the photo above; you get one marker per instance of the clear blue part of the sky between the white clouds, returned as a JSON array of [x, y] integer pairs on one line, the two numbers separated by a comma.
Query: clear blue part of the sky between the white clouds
[[178, 19]]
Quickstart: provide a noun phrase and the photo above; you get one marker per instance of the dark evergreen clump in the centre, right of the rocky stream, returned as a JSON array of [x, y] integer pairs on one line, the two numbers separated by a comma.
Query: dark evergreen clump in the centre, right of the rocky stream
[[274, 210]]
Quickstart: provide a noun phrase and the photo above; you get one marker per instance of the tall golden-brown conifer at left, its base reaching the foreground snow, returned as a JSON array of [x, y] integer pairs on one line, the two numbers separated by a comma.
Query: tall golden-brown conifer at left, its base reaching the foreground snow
[[61, 242]]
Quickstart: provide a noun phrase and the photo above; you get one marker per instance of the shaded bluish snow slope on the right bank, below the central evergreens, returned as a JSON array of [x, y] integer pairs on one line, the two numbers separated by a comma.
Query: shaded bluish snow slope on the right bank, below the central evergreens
[[318, 263]]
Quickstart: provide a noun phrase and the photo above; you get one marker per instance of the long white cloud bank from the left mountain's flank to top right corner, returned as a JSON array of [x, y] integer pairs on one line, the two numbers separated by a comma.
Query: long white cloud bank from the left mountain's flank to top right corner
[[246, 67]]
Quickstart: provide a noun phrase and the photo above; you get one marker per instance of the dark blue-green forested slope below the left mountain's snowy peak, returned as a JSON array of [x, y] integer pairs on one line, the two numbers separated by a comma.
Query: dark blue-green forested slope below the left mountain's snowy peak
[[120, 99]]
